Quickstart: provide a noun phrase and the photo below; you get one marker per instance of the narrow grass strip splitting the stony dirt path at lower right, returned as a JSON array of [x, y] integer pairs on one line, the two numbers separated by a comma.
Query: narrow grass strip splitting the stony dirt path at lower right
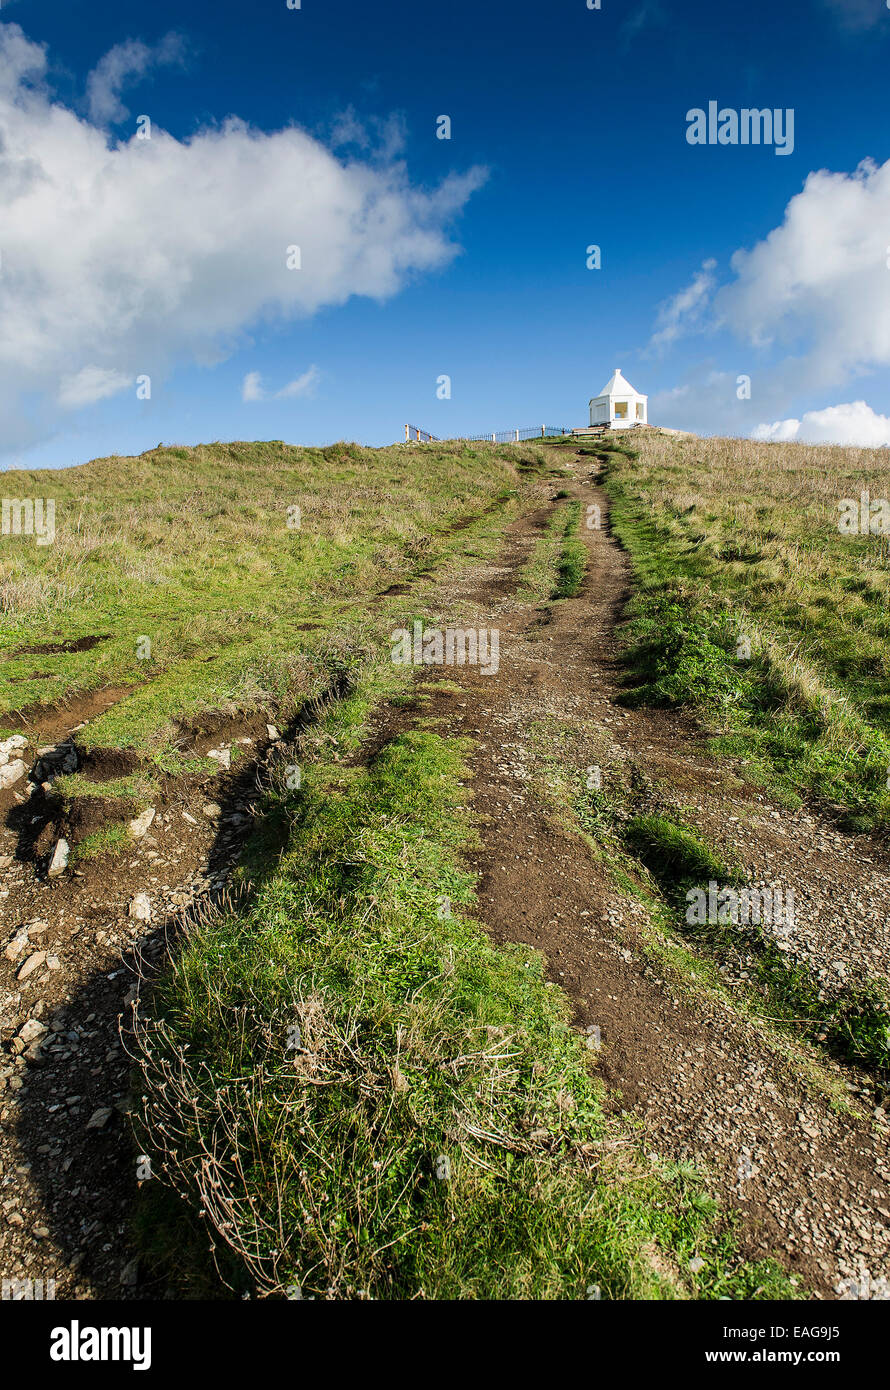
[[656, 857]]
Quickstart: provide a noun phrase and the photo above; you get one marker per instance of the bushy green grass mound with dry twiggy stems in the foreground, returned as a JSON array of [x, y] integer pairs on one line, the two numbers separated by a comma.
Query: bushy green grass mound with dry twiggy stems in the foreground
[[421, 1042]]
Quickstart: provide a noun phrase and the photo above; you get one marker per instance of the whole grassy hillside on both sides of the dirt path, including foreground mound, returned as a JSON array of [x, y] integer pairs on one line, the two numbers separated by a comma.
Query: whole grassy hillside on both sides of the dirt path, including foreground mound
[[347, 1090]]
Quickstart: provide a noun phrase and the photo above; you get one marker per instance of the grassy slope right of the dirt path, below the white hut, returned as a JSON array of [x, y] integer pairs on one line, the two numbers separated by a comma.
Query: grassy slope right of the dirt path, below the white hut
[[753, 610]]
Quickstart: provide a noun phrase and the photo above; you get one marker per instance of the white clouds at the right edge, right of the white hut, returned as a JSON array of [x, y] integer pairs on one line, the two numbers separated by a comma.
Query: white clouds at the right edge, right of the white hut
[[813, 300]]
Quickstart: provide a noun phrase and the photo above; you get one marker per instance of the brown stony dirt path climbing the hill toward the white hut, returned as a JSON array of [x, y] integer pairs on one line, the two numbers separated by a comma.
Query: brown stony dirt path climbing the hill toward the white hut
[[810, 1181]]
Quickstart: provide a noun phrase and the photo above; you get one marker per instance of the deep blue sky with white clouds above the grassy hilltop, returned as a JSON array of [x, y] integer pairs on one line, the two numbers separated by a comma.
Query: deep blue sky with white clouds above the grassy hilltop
[[426, 258]]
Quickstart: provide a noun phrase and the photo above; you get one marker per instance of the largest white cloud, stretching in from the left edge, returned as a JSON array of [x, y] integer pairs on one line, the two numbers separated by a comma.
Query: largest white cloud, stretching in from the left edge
[[136, 256]]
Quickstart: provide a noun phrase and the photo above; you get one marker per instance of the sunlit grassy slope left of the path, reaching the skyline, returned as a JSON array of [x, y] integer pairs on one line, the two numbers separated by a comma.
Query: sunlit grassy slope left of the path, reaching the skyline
[[205, 593]]
